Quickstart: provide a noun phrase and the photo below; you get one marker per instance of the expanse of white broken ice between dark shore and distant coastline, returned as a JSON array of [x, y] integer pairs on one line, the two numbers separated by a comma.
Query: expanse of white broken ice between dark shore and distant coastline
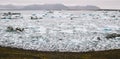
[[64, 31]]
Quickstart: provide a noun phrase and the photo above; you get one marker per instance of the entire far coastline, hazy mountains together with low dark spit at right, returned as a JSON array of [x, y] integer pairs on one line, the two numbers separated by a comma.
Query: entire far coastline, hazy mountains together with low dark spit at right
[[54, 7]]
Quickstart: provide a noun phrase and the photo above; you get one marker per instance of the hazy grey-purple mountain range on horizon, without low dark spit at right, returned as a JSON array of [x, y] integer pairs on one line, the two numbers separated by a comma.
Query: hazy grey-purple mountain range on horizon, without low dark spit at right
[[47, 7]]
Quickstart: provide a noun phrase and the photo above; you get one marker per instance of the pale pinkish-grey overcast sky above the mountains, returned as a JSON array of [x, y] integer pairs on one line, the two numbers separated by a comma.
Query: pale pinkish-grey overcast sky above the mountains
[[114, 4]]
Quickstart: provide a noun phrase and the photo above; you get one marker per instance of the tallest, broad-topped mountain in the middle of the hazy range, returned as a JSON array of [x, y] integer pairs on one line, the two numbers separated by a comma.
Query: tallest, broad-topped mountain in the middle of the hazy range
[[46, 7]]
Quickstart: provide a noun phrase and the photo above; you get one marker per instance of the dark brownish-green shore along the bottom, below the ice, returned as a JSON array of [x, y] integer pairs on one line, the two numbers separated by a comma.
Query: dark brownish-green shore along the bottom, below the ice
[[14, 53]]
